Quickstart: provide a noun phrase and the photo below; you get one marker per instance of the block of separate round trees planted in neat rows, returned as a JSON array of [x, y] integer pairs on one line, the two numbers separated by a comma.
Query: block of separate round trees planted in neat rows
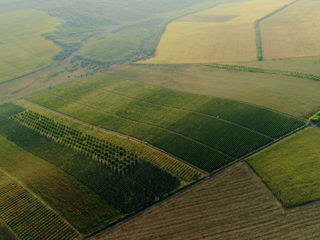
[[114, 157]]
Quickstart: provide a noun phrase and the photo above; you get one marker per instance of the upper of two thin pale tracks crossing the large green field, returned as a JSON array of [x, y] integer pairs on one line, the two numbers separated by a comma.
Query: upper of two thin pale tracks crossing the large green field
[[190, 111]]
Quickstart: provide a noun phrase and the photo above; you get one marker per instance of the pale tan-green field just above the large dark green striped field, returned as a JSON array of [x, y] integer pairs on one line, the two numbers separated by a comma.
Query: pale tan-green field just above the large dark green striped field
[[297, 97]]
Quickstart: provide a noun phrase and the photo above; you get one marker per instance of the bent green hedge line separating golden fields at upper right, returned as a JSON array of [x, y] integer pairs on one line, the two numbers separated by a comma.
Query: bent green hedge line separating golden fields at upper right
[[258, 28]]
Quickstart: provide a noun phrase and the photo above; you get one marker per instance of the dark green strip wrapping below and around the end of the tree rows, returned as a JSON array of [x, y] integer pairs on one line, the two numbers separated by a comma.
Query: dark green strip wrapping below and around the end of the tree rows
[[130, 192]]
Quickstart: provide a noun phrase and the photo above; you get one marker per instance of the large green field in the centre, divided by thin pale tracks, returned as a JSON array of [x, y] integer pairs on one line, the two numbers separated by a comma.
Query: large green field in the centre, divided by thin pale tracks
[[207, 132]]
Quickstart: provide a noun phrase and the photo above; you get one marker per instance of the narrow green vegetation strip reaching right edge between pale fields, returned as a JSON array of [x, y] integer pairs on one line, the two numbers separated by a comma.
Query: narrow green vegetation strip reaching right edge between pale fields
[[263, 70]]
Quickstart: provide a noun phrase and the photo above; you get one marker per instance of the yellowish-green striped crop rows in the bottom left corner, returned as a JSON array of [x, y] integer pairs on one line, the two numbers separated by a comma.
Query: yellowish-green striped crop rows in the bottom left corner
[[27, 216]]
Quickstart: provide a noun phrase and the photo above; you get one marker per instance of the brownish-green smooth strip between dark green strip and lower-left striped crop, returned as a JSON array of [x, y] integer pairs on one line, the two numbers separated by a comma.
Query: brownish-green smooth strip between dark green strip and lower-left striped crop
[[84, 209]]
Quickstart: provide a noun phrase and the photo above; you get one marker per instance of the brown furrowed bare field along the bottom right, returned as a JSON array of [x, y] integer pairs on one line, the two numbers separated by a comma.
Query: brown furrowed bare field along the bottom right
[[235, 204]]
